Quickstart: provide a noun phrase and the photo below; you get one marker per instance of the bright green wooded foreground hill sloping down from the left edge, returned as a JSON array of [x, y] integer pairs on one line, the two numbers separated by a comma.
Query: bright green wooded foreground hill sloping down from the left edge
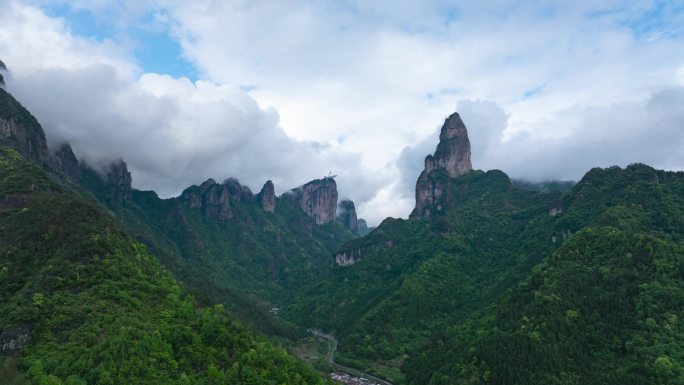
[[82, 302]]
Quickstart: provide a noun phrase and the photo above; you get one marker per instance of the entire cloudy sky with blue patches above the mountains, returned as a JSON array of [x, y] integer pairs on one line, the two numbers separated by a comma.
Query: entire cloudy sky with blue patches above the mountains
[[292, 90]]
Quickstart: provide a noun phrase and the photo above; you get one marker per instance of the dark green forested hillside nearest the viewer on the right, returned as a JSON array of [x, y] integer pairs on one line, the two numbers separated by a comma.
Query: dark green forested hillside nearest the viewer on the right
[[603, 309]]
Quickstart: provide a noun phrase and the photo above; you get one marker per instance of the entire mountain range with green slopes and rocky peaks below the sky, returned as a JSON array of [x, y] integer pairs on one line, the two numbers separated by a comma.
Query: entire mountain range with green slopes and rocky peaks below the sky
[[489, 281]]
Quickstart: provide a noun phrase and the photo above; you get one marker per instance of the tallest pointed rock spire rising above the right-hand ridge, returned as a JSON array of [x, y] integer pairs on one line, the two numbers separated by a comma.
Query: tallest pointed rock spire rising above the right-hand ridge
[[451, 159]]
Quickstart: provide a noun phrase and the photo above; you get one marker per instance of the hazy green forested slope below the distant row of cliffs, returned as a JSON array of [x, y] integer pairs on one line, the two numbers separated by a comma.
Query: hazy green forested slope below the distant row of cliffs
[[251, 262]]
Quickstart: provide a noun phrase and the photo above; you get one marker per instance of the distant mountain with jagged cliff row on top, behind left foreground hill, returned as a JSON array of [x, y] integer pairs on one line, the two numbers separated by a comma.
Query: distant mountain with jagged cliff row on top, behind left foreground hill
[[249, 252]]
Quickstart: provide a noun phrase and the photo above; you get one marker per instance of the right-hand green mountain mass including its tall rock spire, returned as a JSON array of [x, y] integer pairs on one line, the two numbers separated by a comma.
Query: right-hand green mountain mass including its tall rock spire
[[491, 282]]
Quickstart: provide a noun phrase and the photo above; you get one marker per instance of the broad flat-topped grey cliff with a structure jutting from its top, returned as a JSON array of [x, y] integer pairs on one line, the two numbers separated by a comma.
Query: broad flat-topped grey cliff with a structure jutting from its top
[[318, 199]]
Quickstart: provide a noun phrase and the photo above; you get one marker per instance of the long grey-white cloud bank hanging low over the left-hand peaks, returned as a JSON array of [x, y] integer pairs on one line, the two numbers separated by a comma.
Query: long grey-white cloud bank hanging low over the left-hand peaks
[[172, 132]]
